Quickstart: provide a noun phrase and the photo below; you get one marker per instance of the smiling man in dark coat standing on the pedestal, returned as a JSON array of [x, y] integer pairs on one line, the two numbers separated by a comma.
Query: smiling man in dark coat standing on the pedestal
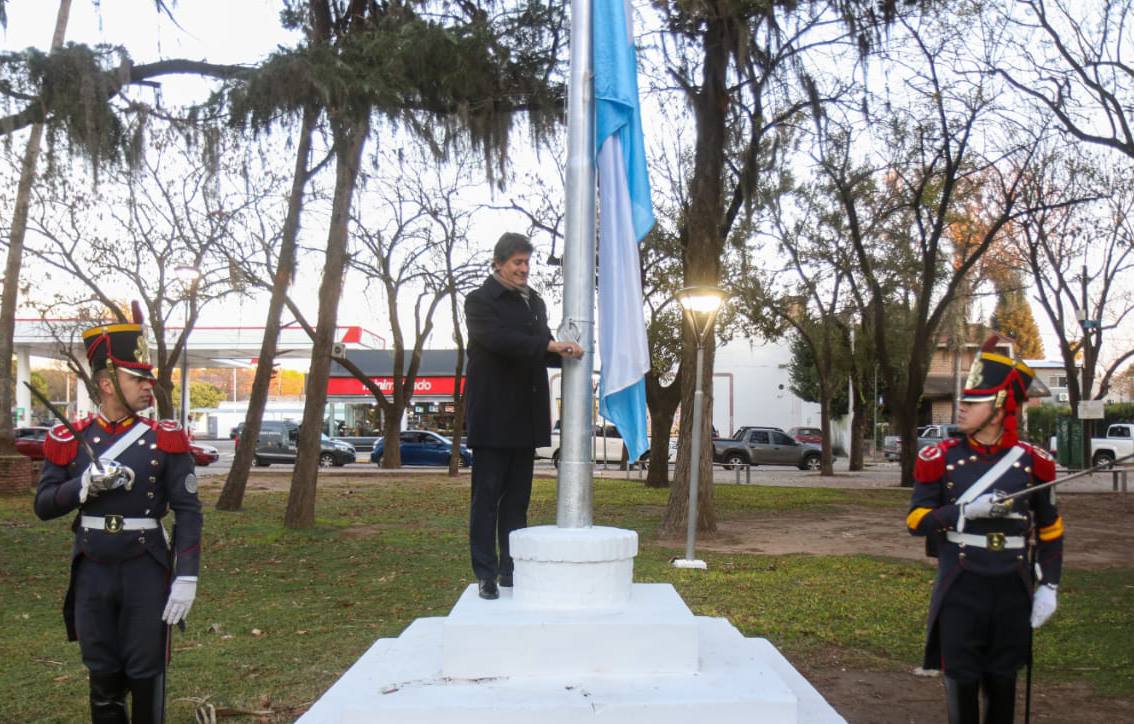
[[507, 405]]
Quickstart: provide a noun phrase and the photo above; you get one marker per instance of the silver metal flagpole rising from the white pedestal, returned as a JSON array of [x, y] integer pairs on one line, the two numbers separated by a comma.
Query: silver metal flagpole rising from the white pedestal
[[576, 469]]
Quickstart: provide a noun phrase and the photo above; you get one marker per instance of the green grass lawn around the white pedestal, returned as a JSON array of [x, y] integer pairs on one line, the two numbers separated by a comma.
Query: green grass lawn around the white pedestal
[[281, 614]]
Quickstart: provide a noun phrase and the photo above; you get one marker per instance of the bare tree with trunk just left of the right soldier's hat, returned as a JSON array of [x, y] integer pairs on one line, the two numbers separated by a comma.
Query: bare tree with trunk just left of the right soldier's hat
[[930, 164]]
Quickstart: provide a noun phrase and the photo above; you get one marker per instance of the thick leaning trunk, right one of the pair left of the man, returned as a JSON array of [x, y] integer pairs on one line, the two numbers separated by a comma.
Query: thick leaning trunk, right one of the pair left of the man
[[350, 137]]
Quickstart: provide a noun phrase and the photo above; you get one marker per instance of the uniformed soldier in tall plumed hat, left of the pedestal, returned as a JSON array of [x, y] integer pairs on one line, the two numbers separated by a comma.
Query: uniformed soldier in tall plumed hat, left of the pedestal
[[129, 582]]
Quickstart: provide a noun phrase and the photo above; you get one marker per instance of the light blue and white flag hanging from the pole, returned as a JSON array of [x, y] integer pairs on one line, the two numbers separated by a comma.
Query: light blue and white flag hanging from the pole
[[627, 216]]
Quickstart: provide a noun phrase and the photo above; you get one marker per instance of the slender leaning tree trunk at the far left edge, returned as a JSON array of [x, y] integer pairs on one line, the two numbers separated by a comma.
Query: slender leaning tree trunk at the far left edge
[[16, 256]]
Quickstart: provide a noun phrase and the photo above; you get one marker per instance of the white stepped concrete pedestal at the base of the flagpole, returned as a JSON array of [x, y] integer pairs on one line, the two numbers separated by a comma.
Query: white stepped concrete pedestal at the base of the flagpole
[[545, 653]]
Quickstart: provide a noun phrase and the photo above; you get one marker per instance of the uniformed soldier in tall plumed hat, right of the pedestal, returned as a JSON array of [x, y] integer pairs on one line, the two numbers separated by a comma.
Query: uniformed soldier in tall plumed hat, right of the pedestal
[[988, 595]]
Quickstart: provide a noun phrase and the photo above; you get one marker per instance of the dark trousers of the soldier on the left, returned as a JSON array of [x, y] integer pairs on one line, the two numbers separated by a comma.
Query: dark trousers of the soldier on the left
[[119, 617]]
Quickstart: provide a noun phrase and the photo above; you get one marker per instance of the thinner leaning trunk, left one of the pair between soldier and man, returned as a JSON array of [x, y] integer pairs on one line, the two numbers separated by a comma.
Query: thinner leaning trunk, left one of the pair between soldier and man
[[232, 495]]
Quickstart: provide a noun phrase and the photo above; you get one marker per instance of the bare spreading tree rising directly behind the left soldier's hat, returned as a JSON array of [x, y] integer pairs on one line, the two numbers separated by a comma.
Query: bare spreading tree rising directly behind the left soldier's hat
[[162, 234]]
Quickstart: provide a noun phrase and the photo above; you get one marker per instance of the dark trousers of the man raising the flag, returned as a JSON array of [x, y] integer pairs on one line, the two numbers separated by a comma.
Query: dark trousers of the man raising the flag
[[502, 490]]
